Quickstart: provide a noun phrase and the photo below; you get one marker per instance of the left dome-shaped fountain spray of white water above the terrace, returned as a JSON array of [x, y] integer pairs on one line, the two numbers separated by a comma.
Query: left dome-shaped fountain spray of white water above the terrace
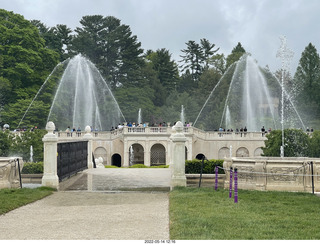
[[81, 97]]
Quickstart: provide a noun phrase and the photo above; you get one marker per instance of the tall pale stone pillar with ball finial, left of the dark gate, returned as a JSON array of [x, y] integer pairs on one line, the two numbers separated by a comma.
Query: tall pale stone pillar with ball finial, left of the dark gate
[[50, 140]]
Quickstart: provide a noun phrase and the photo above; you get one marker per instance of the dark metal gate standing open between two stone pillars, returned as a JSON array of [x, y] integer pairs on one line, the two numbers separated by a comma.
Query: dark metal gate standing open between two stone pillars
[[72, 157]]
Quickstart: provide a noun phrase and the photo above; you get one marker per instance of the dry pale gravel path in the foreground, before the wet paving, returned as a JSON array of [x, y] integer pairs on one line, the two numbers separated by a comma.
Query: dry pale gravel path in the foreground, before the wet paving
[[90, 216]]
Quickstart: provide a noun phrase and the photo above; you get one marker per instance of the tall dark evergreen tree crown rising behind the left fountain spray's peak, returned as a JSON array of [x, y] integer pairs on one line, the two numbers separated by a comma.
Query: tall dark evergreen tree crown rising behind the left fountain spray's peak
[[111, 46]]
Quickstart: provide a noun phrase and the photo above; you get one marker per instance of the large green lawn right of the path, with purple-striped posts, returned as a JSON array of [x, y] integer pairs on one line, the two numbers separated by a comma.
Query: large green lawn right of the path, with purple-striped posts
[[205, 214]]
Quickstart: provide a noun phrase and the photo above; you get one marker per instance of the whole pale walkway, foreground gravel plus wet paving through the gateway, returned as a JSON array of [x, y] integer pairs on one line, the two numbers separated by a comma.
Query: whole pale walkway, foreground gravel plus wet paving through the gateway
[[93, 206]]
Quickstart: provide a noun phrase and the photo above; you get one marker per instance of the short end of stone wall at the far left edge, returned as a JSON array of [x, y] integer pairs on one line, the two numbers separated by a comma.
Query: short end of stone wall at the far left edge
[[9, 172]]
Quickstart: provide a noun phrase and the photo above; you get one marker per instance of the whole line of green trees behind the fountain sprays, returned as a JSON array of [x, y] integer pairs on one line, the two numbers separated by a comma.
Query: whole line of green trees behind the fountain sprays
[[146, 79]]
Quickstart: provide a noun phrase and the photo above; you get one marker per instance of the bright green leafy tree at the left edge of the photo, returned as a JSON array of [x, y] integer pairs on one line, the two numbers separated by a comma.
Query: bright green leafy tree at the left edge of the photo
[[25, 62]]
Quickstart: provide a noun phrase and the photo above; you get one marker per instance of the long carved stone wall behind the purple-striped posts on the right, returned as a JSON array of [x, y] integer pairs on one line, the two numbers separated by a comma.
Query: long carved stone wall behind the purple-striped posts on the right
[[275, 174]]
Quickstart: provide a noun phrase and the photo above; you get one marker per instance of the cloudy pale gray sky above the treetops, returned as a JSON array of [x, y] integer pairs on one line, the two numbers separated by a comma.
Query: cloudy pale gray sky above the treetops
[[169, 24]]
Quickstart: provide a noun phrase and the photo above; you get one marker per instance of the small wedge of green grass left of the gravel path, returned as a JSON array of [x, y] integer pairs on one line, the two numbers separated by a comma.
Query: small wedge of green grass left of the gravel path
[[14, 198]]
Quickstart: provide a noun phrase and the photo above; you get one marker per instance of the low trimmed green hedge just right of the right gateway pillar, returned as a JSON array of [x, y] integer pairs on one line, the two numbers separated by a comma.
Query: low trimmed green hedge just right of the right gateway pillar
[[194, 166]]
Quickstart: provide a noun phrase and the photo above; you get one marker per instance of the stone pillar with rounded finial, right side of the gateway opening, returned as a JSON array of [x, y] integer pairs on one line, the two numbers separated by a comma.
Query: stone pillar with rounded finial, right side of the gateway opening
[[178, 177]]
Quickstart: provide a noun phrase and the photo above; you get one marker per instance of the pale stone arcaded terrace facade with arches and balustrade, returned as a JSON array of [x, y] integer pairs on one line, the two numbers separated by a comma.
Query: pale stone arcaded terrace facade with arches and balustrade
[[152, 142]]
